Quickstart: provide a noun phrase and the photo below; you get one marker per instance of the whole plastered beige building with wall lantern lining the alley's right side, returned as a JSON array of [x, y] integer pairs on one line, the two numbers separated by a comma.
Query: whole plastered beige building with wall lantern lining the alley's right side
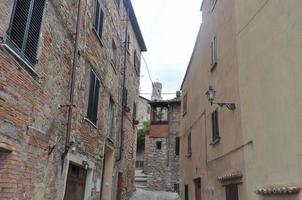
[[247, 144]]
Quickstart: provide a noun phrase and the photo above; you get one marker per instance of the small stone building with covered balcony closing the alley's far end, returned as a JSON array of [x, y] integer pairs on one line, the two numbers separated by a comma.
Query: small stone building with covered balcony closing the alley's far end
[[162, 146]]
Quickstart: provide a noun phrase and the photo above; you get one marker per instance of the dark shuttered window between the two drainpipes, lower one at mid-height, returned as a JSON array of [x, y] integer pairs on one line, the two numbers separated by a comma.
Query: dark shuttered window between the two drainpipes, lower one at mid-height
[[93, 97]]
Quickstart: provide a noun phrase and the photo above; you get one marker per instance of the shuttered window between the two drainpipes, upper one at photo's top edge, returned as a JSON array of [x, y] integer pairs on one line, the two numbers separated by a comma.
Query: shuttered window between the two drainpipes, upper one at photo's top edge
[[98, 19]]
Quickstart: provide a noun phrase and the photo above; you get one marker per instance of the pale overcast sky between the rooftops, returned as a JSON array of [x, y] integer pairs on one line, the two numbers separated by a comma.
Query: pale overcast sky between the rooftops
[[169, 28]]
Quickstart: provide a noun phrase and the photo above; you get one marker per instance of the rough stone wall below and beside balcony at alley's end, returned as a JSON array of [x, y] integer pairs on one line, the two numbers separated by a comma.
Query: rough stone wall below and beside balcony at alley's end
[[162, 165]]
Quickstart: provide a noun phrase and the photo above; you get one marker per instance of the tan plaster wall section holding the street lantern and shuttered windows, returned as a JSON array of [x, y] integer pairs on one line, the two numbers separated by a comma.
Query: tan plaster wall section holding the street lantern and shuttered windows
[[210, 161]]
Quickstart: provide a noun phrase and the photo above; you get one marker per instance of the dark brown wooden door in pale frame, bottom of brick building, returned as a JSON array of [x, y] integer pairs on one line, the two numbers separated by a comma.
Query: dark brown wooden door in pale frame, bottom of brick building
[[75, 185]]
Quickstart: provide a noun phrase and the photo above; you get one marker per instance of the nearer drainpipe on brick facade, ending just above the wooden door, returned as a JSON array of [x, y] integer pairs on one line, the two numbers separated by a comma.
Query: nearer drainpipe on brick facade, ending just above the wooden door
[[72, 84]]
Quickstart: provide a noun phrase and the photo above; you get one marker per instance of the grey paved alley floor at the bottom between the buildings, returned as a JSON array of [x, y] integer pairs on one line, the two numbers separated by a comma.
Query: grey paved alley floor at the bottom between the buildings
[[153, 195]]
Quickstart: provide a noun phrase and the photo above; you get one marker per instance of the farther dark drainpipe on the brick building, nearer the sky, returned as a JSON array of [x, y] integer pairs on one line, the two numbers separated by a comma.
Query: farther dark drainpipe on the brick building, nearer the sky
[[124, 83]]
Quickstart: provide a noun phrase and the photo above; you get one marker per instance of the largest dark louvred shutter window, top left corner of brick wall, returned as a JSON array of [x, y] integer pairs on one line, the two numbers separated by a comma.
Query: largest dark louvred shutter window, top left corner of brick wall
[[25, 27]]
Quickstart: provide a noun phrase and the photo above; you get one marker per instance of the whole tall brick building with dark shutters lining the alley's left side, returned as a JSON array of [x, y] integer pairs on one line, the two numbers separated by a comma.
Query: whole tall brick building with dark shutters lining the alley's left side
[[66, 121]]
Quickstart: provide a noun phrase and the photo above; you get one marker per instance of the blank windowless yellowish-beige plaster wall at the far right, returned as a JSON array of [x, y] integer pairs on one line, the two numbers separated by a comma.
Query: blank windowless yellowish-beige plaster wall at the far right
[[269, 58]]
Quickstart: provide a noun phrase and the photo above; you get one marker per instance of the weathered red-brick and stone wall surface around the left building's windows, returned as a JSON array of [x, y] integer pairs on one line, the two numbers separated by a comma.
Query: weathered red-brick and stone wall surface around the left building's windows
[[34, 103]]
